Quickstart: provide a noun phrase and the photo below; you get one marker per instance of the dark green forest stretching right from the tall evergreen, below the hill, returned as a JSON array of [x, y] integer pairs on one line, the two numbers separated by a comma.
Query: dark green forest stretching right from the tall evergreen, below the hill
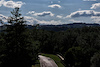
[[77, 45]]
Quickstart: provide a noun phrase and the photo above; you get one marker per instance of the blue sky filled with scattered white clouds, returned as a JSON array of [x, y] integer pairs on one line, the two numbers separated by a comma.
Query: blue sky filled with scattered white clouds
[[53, 12]]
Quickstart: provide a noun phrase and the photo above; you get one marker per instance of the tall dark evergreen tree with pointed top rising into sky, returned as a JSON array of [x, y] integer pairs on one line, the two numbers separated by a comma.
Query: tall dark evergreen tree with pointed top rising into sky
[[19, 51]]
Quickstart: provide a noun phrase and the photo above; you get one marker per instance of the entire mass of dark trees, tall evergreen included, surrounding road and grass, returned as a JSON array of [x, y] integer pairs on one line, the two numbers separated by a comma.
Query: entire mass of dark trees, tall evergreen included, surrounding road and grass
[[19, 46]]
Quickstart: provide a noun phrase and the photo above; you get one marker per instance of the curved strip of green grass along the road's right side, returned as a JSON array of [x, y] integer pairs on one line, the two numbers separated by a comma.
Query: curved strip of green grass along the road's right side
[[55, 58]]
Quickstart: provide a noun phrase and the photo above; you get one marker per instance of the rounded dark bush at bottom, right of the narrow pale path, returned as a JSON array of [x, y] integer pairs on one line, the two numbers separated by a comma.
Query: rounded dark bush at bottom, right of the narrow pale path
[[76, 57]]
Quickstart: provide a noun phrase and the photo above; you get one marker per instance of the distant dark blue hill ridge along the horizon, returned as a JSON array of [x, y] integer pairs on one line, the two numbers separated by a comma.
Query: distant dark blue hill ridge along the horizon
[[62, 27]]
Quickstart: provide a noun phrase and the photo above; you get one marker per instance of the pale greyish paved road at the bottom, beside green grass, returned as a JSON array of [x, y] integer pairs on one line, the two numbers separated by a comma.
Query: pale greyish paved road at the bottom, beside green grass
[[46, 62]]
